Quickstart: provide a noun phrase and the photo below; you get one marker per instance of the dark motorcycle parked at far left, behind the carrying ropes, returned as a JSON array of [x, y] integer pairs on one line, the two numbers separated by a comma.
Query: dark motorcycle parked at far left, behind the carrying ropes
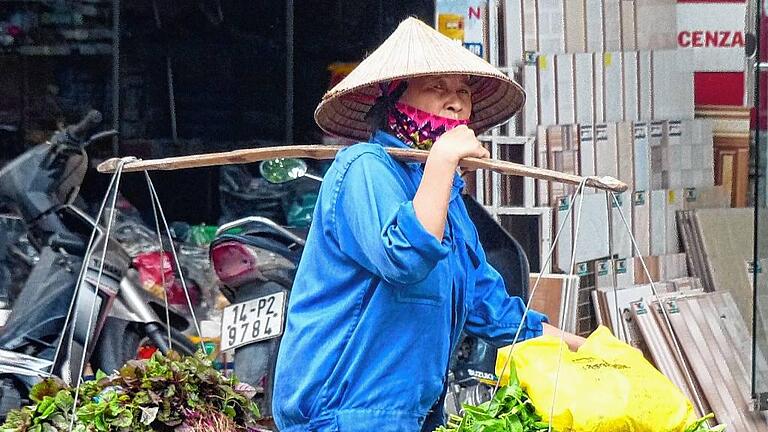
[[41, 185]]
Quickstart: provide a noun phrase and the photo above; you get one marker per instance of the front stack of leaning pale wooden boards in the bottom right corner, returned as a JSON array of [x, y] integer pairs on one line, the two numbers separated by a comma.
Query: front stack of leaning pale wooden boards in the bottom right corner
[[700, 341]]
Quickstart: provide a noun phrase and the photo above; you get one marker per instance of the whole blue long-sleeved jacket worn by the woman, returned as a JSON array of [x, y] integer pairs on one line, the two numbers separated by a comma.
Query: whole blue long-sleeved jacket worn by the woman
[[378, 303]]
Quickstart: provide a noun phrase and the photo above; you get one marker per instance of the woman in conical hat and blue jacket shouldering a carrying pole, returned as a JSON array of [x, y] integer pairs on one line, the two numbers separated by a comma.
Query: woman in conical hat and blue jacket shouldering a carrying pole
[[393, 270]]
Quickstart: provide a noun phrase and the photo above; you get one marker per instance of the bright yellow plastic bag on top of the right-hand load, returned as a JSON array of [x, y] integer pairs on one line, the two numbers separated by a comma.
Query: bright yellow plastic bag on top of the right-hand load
[[606, 386]]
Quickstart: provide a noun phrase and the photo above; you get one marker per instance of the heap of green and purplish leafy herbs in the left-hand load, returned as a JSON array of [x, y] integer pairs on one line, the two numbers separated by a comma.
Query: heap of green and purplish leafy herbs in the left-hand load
[[163, 394]]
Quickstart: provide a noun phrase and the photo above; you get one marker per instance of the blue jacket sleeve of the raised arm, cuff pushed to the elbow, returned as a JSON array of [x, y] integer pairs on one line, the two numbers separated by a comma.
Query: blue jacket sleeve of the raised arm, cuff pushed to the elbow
[[375, 222]]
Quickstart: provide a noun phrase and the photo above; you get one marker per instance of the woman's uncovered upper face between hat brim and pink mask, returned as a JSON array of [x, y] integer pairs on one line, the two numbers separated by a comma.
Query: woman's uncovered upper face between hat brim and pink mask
[[447, 96]]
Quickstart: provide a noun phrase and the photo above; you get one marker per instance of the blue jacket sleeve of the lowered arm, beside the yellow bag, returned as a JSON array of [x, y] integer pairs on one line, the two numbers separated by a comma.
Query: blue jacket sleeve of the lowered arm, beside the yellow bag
[[495, 316]]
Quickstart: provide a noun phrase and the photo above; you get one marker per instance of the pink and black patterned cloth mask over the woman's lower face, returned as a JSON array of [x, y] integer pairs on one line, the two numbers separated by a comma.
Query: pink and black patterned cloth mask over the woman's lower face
[[418, 128]]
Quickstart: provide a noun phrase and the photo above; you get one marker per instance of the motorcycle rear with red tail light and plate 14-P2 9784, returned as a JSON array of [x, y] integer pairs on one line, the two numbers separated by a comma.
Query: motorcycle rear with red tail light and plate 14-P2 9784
[[256, 266]]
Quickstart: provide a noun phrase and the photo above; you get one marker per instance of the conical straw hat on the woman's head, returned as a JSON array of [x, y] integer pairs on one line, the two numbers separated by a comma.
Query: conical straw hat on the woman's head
[[416, 49]]
